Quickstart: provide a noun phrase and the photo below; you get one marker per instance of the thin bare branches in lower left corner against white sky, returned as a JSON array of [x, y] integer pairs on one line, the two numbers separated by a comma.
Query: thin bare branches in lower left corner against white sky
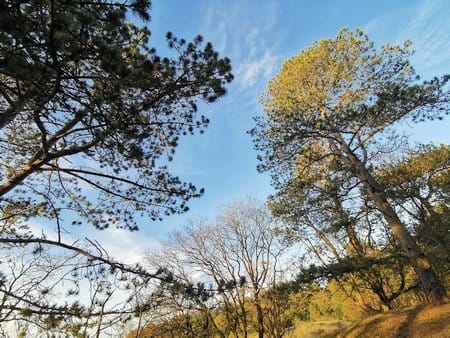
[[77, 290]]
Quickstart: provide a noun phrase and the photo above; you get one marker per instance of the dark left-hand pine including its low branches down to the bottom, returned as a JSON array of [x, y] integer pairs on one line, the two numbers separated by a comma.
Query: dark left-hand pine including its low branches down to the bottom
[[90, 117]]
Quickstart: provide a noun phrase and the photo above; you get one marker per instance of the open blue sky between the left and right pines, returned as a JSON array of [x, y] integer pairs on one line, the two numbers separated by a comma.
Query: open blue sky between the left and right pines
[[257, 36]]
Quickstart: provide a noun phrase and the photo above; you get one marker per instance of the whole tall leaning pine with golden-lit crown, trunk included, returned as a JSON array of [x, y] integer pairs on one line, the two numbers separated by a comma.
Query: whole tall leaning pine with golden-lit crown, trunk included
[[328, 126]]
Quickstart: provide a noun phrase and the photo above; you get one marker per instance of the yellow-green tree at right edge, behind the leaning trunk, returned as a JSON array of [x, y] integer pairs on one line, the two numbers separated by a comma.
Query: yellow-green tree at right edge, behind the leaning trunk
[[424, 175]]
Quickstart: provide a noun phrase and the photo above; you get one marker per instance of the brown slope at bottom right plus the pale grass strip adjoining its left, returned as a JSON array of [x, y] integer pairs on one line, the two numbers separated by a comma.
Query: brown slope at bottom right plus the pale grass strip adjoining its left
[[418, 322]]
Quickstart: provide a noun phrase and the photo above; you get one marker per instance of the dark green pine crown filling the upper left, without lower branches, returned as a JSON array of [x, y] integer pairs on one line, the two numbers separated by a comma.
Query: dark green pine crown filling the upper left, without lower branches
[[86, 103]]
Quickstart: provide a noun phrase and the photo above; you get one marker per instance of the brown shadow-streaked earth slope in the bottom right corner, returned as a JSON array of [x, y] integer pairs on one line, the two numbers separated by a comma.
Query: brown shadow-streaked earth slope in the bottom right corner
[[418, 322]]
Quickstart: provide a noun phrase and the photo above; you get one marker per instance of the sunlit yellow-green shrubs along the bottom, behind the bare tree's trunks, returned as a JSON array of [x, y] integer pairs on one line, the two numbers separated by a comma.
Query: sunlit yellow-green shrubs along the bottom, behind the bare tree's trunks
[[312, 311]]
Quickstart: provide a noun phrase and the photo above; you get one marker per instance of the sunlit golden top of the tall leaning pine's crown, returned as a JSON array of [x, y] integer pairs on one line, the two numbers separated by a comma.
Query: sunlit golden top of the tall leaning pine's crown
[[331, 76]]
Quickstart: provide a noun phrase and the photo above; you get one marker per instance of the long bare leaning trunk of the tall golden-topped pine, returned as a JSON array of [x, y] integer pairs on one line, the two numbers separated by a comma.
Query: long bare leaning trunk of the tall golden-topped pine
[[431, 284]]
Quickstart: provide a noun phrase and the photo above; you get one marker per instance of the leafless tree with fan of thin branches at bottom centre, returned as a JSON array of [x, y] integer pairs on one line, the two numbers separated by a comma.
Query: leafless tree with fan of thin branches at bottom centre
[[237, 256]]
